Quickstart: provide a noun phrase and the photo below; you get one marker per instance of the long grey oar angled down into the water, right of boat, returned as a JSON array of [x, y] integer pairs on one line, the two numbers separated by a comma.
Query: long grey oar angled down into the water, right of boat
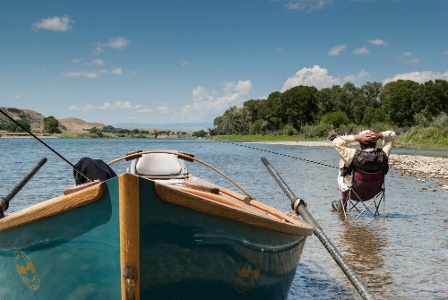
[[299, 207]]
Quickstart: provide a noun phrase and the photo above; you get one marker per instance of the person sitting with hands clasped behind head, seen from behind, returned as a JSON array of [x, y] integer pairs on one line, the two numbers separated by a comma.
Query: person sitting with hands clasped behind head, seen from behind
[[368, 158]]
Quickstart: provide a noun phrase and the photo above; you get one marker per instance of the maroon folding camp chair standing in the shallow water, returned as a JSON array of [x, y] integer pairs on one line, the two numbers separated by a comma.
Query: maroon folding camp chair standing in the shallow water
[[367, 193]]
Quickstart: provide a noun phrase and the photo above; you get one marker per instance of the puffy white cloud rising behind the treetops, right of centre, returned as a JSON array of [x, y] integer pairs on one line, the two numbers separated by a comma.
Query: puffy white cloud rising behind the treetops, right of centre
[[315, 76]]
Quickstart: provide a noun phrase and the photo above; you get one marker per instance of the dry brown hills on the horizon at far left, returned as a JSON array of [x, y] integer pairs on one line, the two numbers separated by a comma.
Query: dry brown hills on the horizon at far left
[[36, 120]]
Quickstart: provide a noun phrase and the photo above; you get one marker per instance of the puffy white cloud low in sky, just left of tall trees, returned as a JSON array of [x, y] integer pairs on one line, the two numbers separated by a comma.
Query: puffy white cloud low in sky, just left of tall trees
[[204, 103]]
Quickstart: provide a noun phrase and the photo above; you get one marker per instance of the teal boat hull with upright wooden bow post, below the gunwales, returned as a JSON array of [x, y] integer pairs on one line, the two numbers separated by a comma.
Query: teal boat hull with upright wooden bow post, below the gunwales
[[176, 252]]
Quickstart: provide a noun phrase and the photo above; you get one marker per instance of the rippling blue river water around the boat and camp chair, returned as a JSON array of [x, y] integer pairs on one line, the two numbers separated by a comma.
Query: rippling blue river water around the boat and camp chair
[[401, 256]]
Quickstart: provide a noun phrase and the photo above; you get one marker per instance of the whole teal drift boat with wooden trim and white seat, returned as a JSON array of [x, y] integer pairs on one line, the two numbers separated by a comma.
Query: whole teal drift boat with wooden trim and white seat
[[155, 232]]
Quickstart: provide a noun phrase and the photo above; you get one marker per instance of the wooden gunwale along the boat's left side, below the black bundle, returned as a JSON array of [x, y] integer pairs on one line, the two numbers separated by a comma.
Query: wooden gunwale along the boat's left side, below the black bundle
[[53, 206]]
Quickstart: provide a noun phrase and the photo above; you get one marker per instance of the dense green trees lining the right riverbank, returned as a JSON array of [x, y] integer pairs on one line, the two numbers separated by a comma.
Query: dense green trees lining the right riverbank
[[307, 110]]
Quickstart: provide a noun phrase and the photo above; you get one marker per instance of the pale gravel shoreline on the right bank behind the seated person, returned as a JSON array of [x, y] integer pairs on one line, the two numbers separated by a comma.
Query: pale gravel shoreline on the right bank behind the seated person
[[422, 167]]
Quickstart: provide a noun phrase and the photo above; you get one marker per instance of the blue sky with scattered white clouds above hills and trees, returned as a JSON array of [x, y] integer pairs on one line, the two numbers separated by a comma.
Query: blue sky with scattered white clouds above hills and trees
[[179, 61]]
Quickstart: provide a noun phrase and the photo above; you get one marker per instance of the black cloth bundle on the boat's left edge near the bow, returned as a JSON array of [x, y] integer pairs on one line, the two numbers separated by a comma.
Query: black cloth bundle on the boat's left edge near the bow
[[93, 169]]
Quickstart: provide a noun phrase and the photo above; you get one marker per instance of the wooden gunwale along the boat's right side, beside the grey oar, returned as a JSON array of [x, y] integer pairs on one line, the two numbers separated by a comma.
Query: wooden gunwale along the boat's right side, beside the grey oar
[[217, 206]]
